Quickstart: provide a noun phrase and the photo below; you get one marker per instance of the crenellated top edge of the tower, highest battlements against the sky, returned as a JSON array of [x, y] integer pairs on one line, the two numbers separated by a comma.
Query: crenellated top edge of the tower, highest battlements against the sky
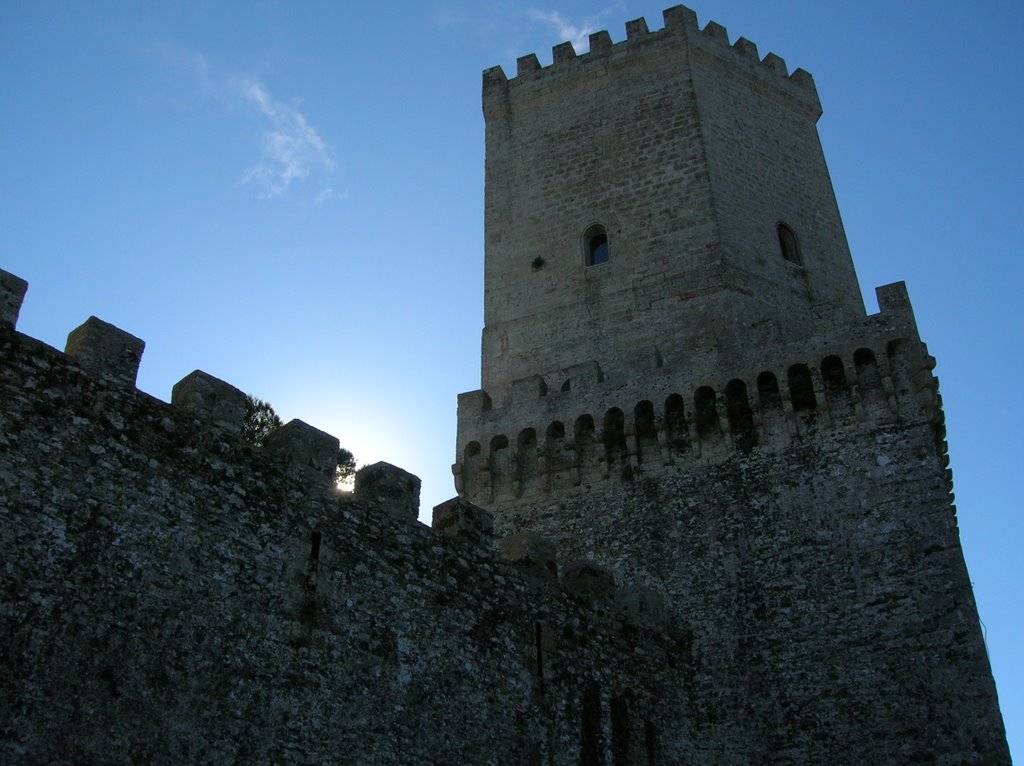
[[680, 28]]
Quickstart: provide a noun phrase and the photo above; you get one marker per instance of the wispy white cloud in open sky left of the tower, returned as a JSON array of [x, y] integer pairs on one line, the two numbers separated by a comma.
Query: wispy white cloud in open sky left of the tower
[[292, 150]]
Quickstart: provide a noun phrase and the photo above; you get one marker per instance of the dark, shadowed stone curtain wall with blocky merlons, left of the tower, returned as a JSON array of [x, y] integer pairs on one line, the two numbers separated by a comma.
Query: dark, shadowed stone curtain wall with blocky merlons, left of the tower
[[173, 594]]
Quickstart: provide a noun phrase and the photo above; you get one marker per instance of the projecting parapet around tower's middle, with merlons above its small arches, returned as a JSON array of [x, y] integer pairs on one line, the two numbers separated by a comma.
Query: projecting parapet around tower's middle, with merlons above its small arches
[[570, 429]]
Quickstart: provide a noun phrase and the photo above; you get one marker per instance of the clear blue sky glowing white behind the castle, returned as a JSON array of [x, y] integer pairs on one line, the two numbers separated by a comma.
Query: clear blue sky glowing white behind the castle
[[290, 198]]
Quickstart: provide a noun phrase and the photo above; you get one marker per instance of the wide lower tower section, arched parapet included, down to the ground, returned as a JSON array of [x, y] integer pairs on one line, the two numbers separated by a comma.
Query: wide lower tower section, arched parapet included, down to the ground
[[797, 512]]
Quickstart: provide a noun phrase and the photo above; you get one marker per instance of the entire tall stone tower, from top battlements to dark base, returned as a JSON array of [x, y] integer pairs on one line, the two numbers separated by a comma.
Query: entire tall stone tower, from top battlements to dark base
[[679, 381]]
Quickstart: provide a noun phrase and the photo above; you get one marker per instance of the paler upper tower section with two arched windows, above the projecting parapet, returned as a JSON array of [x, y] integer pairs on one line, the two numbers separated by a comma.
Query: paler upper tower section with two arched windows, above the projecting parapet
[[651, 197]]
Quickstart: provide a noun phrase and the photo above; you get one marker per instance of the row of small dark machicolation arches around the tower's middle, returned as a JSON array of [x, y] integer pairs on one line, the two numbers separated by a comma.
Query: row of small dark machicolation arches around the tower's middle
[[654, 438]]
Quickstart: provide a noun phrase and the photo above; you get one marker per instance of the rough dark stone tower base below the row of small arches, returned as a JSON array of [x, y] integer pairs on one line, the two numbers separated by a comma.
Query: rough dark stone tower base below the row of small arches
[[825, 586]]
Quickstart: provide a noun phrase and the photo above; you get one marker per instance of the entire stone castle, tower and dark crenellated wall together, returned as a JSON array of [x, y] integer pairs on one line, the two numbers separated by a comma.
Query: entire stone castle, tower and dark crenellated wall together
[[704, 513]]
